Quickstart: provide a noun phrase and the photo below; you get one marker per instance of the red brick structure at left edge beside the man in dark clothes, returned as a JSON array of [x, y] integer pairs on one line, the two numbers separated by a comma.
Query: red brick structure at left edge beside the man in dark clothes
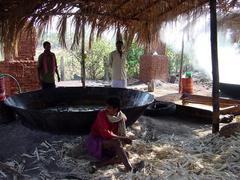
[[22, 67]]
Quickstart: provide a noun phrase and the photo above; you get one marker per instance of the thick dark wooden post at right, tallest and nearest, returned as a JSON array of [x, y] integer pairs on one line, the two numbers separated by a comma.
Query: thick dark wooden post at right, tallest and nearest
[[215, 72]]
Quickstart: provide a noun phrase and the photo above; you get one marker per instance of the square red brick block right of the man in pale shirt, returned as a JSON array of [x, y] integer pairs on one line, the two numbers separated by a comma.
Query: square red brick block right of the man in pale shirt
[[153, 67]]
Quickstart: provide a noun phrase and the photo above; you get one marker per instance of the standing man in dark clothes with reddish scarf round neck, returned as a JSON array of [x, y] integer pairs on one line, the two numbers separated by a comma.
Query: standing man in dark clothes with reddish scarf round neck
[[47, 67]]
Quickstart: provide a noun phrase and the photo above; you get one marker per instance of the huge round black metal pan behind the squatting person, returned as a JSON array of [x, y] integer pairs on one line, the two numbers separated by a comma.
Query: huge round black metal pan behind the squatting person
[[61, 110]]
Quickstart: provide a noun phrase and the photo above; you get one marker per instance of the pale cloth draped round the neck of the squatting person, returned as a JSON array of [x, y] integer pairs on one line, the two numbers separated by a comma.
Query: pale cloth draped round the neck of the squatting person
[[120, 118]]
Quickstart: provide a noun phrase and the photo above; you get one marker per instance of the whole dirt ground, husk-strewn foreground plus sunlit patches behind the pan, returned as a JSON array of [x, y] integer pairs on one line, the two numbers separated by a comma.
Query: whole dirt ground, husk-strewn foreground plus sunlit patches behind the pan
[[172, 148]]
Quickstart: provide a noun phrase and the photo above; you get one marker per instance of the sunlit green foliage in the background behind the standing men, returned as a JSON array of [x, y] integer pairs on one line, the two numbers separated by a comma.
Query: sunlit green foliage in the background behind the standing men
[[99, 54]]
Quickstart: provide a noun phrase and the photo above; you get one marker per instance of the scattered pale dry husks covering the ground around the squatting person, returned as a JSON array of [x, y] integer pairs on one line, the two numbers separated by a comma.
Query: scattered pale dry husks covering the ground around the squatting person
[[196, 154]]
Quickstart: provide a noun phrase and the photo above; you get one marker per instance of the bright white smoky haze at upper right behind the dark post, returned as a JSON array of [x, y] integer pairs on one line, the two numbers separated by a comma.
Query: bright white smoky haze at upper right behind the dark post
[[197, 46]]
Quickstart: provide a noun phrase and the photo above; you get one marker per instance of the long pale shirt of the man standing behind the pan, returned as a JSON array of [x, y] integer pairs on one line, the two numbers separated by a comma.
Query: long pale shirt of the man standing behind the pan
[[118, 65]]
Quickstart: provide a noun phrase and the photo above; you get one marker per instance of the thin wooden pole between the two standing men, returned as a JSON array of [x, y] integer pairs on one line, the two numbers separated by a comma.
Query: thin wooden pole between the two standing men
[[83, 73]]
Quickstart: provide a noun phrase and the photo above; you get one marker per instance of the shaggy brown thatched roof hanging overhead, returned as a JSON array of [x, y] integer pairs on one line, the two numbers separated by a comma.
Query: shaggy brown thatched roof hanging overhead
[[137, 18]]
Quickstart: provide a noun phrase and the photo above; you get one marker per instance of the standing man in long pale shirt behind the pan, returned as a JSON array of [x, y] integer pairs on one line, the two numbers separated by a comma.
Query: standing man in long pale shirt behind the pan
[[117, 61]]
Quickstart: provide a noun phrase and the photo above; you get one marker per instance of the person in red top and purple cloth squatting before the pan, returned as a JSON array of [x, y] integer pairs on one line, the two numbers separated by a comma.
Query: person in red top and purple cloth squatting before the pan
[[108, 136]]
